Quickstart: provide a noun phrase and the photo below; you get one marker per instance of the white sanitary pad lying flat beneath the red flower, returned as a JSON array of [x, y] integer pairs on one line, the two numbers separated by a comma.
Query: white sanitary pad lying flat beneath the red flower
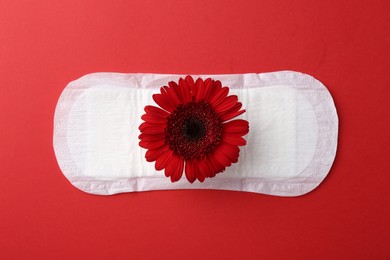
[[290, 147]]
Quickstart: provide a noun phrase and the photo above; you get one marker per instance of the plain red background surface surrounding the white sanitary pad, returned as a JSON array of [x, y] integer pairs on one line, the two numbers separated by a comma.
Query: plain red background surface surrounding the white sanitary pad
[[46, 44]]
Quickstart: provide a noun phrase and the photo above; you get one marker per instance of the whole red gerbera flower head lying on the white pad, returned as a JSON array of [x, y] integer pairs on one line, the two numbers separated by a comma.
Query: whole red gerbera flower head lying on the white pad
[[191, 131]]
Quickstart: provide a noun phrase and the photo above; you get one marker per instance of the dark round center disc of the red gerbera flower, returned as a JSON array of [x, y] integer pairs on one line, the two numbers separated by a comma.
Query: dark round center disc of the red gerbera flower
[[193, 130]]
